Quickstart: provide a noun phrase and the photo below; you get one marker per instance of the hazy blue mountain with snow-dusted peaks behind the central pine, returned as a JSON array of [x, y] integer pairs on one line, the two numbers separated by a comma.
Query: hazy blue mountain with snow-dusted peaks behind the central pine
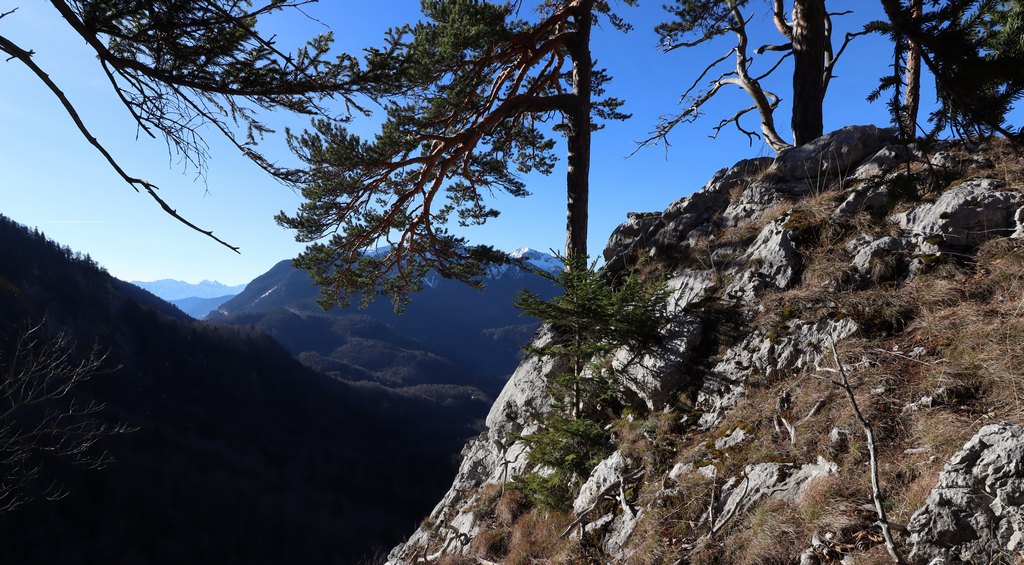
[[450, 334]]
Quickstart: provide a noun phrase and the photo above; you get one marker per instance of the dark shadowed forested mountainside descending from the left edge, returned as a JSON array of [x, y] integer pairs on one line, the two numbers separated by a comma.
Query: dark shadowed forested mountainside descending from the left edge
[[242, 455]]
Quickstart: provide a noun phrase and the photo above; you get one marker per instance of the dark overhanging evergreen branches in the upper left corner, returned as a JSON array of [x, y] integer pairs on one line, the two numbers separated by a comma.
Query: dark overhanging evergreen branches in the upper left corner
[[180, 67]]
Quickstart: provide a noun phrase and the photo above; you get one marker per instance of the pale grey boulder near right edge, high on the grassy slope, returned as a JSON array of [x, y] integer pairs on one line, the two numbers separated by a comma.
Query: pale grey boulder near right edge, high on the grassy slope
[[965, 216]]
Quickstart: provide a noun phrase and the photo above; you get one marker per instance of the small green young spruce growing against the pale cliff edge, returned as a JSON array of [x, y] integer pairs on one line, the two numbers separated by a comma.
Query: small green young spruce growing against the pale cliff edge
[[590, 321]]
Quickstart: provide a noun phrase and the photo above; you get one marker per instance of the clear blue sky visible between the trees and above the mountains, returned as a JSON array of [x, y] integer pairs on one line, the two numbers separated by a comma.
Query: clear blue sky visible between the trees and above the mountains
[[52, 179]]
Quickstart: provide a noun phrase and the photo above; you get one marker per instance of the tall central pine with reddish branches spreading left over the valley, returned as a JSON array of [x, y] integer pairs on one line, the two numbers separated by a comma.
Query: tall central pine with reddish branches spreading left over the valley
[[473, 97]]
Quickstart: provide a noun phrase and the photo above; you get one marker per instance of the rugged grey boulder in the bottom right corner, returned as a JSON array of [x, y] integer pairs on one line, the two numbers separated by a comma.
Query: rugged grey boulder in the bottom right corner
[[975, 514]]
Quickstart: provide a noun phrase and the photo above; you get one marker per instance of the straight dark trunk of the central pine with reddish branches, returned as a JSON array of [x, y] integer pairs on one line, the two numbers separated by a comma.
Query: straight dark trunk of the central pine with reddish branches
[[579, 121]]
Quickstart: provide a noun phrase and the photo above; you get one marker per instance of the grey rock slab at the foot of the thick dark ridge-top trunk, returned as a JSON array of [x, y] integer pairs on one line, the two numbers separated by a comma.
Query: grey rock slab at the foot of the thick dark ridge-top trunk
[[833, 155]]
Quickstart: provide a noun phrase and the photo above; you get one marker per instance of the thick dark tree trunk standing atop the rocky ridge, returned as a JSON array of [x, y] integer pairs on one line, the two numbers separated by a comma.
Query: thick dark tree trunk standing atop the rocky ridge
[[809, 60]]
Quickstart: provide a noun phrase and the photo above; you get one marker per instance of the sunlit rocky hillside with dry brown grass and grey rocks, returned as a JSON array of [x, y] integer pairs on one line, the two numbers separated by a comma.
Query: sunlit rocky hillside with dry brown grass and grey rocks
[[899, 269]]
